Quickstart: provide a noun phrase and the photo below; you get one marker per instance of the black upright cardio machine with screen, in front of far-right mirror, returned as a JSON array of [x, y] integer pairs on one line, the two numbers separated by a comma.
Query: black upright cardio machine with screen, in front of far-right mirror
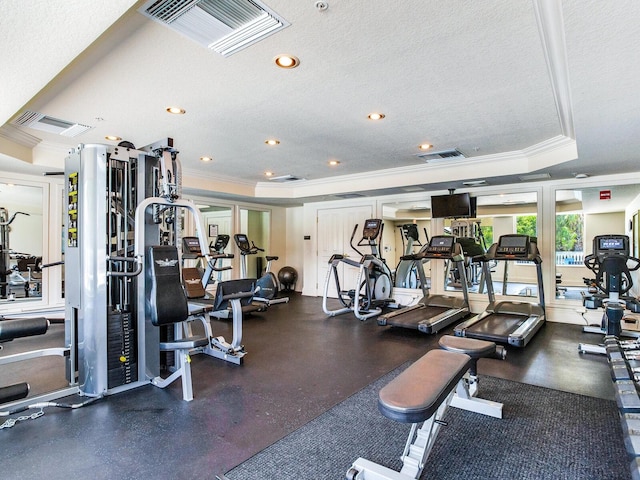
[[612, 264]]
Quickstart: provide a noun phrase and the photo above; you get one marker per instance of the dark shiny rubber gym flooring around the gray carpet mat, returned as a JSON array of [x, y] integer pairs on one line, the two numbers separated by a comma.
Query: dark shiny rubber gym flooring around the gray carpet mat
[[299, 364]]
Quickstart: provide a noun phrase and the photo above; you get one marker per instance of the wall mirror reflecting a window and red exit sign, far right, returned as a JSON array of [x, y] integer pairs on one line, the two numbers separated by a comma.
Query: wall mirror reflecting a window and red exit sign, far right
[[582, 214]]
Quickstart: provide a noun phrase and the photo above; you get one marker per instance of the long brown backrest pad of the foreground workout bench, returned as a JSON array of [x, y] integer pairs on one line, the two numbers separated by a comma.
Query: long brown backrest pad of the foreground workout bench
[[415, 394]]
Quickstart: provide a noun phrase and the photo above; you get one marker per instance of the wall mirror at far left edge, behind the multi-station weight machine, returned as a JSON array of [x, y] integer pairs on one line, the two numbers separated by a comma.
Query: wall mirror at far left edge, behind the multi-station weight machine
[[21, 240]]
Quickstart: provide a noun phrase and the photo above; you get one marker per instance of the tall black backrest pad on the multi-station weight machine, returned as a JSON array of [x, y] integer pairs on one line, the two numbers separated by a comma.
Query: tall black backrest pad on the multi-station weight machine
[[167, 301]]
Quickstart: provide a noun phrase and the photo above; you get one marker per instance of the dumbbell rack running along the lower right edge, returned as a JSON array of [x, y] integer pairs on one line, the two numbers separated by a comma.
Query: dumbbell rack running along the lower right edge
[[624, 360]]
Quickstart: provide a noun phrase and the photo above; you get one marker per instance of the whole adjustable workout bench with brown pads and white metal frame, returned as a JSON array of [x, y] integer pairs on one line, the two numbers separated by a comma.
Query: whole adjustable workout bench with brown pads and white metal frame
[[422, 393]]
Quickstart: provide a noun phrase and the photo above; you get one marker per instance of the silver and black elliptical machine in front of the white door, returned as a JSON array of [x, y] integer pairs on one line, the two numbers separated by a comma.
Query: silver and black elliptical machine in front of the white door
[[373, 284]]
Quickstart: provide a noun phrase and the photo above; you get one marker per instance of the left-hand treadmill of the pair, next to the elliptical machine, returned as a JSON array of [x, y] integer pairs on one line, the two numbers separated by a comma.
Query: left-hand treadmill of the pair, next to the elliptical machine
[[434, 312]]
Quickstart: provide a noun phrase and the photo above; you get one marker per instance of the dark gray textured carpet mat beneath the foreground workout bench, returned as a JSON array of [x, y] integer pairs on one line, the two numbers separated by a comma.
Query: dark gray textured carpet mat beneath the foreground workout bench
[[545, 434]]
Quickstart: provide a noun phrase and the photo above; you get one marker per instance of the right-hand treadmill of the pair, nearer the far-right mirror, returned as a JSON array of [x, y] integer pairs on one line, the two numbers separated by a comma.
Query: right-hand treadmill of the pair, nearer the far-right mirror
[[510, 322]]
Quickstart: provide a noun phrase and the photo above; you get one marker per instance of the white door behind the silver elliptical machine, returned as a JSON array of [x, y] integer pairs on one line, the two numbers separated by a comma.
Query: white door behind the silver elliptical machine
[[335, 226]]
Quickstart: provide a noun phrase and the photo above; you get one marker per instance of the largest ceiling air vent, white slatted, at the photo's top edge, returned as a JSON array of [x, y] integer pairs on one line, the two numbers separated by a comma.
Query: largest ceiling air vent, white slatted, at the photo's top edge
[[225, 26]]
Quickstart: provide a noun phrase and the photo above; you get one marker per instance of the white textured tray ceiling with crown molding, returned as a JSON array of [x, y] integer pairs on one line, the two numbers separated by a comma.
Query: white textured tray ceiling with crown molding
[[518, 86]]
